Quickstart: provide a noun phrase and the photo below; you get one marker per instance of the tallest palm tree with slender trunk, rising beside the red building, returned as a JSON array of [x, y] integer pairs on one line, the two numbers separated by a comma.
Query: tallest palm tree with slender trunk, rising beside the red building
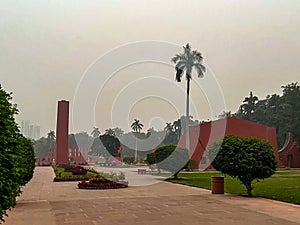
[[185, 62]]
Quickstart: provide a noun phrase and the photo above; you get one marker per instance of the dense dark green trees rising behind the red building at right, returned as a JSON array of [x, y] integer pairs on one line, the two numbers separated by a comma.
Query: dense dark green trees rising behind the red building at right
[[281, 112]]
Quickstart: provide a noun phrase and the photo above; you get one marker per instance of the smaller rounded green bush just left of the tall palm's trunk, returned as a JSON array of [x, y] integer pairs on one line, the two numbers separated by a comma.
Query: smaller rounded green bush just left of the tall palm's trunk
[[170, 158]]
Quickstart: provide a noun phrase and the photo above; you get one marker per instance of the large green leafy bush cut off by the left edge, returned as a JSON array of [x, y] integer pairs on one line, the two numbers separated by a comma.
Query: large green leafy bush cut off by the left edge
[[16, 155]]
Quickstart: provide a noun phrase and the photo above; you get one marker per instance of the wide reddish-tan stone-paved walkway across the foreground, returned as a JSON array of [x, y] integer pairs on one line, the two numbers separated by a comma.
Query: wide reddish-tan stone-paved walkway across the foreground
[[47, 203]]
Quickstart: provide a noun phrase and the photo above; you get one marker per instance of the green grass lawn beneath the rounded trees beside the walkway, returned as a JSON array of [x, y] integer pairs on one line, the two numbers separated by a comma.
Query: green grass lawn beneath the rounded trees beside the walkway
[[284, 185]]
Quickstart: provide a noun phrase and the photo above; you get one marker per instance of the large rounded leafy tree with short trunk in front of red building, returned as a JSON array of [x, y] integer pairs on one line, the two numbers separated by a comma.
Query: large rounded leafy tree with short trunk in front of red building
[[246, 159]]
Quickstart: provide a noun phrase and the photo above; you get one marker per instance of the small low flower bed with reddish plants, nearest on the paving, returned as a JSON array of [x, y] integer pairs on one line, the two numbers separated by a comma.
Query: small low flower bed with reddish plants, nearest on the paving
[[102, 183]]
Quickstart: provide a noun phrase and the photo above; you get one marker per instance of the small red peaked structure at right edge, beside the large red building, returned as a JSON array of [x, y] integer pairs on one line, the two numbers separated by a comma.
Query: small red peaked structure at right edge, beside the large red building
[[289, 155]]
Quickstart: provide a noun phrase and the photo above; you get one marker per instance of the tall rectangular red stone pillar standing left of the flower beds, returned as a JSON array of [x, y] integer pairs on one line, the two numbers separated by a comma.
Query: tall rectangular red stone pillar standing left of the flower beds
[[62, 130]]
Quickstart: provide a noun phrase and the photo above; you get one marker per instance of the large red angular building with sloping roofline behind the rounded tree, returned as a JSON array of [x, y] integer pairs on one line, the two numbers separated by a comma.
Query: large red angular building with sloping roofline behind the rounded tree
[[201, 136]]
